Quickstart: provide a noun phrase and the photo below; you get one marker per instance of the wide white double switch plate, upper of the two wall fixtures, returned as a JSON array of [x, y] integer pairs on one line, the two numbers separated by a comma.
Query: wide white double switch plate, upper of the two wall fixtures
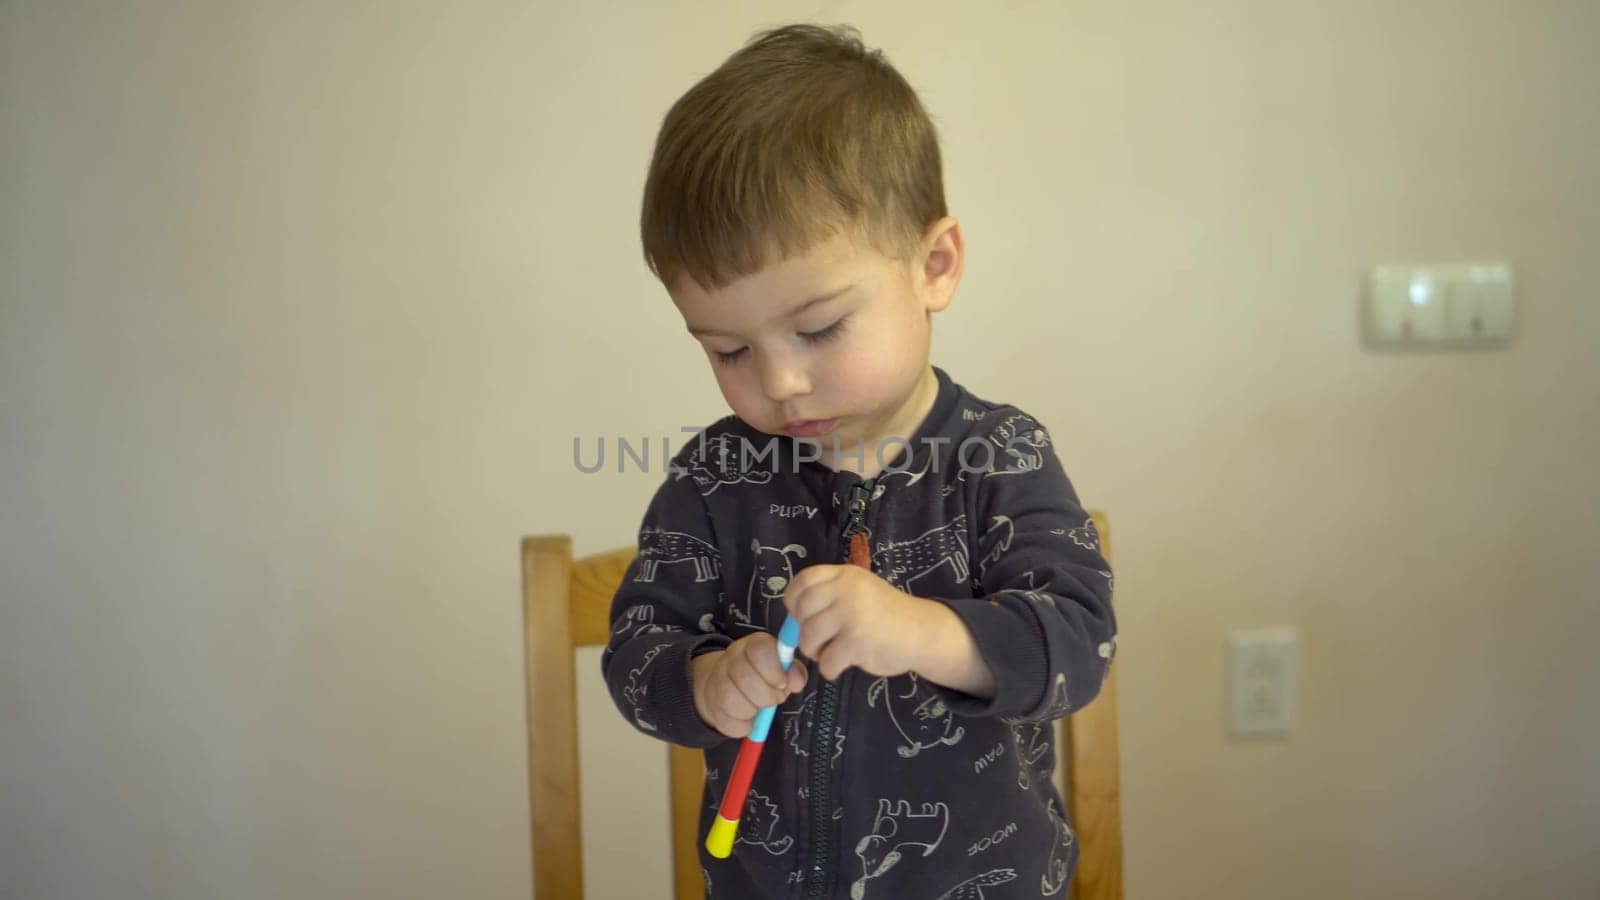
[[1441, 307]]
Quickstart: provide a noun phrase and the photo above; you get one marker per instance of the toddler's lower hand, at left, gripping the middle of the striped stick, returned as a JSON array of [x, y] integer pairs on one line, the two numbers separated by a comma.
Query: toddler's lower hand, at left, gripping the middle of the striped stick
[[734, 685]]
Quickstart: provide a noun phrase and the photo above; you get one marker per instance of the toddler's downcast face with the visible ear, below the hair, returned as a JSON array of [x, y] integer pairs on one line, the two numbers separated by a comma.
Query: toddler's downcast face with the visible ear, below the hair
[[830, 345]]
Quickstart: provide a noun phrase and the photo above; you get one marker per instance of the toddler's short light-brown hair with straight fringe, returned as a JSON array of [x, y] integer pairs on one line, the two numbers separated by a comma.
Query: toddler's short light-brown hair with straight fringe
[[799, 135]]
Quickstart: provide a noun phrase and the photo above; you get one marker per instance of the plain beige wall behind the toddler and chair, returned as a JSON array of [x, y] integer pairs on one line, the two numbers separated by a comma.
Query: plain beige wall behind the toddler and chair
[[300, 310]]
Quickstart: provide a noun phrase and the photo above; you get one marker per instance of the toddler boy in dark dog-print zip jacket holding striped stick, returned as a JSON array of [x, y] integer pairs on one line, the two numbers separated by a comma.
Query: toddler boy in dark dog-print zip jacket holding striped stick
[[950, 587]]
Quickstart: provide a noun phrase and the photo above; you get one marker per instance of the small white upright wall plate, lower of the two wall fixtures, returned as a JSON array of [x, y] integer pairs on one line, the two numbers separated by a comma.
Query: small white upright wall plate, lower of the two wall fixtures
[[1262, 680]]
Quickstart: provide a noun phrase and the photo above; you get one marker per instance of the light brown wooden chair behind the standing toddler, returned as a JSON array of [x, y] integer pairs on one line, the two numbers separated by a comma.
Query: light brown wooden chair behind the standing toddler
[[566, 605]]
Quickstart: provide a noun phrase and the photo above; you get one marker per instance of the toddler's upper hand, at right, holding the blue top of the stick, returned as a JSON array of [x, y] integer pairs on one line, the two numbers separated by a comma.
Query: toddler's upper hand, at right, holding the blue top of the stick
[[852, 617]]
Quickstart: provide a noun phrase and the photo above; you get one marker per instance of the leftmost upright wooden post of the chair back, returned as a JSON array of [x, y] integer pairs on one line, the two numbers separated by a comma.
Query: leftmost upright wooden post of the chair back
[[553, 718]]
